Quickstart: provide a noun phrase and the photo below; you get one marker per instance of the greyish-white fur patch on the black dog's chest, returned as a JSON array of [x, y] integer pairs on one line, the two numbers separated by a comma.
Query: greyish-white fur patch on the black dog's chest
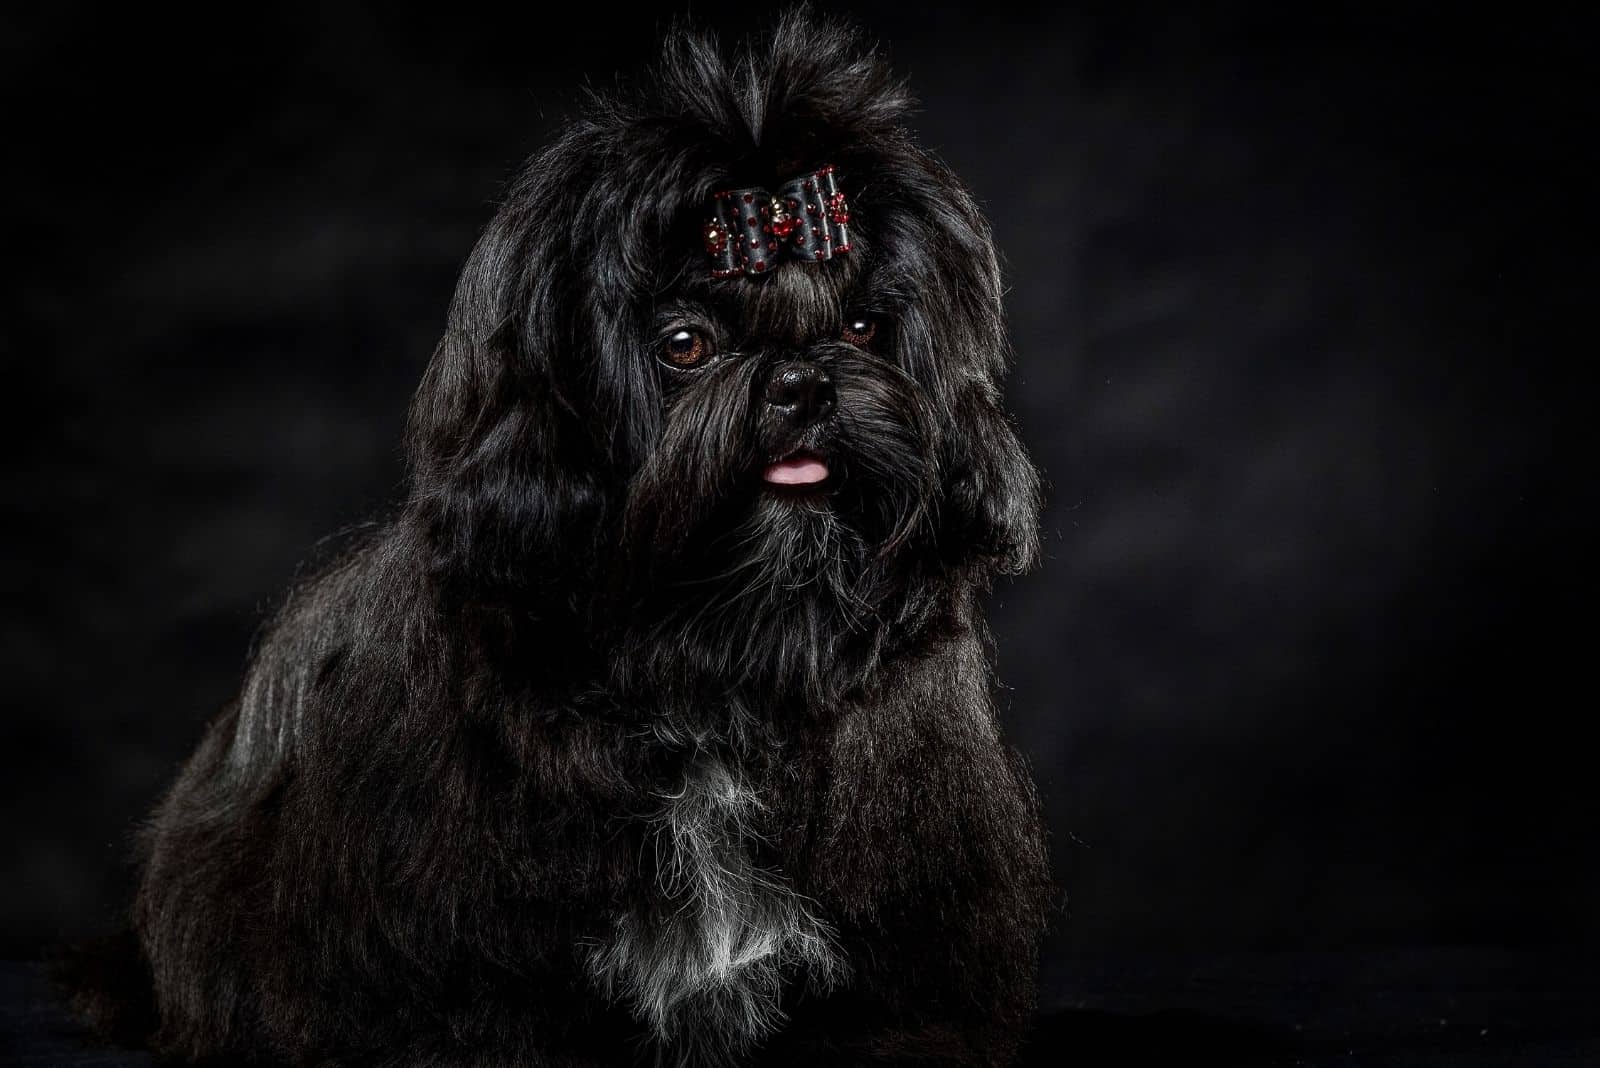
[[708, 971]]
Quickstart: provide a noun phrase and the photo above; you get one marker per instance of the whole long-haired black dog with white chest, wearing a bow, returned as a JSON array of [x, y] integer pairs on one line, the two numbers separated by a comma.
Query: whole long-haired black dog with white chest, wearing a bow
[[660, 723]]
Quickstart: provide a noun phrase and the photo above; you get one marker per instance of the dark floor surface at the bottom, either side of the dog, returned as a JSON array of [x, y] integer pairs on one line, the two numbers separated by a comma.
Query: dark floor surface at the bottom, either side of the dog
[[1417, 1008]]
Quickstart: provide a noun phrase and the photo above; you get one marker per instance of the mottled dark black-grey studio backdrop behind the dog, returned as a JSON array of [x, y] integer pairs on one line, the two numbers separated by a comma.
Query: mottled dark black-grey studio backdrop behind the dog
[[1297, 308]]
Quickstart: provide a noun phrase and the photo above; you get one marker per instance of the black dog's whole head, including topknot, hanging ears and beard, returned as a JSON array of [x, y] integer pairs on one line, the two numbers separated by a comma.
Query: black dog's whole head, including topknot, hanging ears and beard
[[772, 460]]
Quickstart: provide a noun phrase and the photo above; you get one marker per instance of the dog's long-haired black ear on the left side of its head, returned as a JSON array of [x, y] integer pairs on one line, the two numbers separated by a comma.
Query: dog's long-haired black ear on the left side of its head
[[535, 402]]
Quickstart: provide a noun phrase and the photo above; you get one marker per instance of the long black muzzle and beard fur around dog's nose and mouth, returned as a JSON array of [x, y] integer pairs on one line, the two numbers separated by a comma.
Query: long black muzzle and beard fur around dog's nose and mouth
[[735, 581]]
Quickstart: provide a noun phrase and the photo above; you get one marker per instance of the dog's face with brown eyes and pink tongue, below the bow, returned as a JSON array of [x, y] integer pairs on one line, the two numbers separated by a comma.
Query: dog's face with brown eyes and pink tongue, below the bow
[[794, 452]]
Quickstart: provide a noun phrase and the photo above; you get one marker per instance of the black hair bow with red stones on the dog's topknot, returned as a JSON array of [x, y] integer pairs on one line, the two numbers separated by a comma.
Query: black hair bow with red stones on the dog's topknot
[[753, 231]]
